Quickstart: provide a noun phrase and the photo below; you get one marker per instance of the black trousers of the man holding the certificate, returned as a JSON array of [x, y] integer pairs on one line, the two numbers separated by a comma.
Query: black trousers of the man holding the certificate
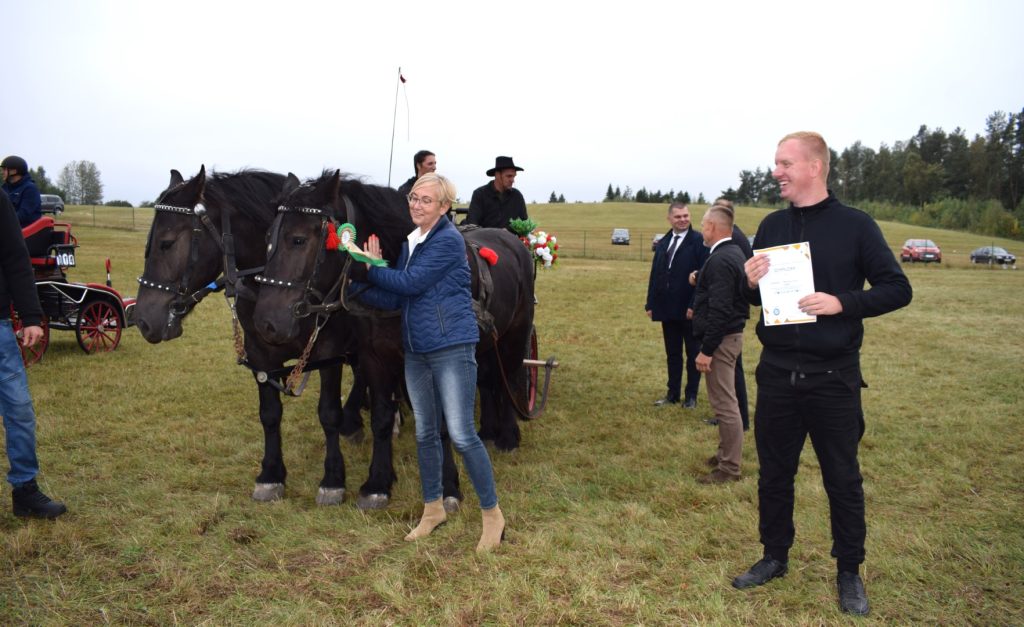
[[792, 406]]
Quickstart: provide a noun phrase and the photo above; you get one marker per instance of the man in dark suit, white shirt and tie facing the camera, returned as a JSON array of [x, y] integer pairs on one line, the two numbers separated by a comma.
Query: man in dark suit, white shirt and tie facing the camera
[[670, 302]]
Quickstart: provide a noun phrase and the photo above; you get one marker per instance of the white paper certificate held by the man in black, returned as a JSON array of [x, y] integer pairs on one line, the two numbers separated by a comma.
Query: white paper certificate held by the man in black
[[790, 278]]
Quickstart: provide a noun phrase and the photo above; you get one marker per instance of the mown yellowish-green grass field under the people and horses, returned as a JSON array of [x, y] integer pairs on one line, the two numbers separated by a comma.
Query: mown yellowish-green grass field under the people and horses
[[155, 449]]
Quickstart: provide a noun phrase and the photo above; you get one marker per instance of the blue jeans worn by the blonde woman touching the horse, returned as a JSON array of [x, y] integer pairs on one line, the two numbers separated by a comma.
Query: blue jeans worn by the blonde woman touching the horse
[[443, 386]]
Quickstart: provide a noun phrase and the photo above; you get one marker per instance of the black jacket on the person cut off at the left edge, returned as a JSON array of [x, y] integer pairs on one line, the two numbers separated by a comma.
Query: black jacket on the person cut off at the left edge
[[18, 282]]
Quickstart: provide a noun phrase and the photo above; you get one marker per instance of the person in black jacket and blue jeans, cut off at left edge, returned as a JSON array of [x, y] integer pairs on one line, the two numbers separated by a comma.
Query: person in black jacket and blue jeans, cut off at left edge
[[18, 287]]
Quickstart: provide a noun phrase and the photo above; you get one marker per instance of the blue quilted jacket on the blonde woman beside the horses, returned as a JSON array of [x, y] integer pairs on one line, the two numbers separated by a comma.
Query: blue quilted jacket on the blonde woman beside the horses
[[433, 289]]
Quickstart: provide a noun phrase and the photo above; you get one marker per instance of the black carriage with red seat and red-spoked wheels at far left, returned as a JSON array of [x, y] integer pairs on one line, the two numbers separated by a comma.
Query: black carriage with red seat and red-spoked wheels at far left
[[96, 312]]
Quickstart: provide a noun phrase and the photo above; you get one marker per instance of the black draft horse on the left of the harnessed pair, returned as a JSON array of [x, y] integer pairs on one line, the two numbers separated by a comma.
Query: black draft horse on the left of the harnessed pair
[[214, 225]]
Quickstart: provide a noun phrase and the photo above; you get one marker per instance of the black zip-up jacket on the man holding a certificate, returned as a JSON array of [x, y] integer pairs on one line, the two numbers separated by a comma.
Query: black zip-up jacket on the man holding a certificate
[[847, 248]]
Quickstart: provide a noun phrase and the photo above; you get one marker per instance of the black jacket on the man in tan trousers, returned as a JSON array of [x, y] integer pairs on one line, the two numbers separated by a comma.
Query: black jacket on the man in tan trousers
[[720, 307]]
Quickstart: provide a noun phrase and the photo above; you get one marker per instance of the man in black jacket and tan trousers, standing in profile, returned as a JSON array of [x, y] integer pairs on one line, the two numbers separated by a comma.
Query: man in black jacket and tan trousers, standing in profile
[[720, 313]]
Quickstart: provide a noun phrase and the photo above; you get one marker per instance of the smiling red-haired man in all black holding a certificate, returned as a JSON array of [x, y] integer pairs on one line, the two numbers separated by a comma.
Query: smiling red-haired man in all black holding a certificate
[[809, 377]]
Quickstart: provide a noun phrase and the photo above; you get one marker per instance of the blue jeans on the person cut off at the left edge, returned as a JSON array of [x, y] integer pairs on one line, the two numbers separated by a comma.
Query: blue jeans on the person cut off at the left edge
[[16, 405]]
